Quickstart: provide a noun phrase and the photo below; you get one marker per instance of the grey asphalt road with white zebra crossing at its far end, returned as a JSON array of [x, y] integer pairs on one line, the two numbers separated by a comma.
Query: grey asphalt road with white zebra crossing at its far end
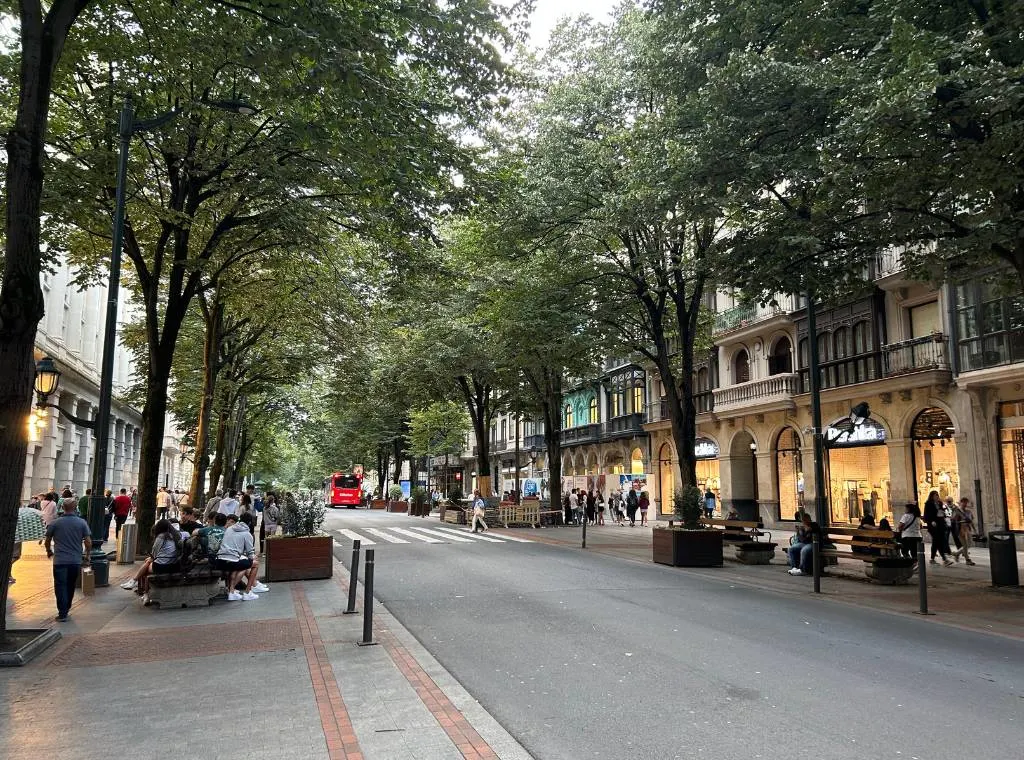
[[584, 656]]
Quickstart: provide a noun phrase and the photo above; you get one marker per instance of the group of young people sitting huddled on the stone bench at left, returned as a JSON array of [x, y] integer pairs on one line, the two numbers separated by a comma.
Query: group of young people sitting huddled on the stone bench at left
[[226, 542]]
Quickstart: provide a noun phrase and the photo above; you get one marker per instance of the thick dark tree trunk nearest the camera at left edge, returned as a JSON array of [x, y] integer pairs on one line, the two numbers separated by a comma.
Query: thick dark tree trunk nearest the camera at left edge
[[21, 298]]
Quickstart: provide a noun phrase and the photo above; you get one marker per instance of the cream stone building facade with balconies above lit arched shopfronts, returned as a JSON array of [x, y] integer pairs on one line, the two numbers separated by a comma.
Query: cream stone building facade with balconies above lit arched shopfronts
[[943, 370]]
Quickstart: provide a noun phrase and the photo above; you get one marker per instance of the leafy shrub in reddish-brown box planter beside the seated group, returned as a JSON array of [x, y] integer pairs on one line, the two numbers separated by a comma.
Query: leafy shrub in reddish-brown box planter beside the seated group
[[304, 553]]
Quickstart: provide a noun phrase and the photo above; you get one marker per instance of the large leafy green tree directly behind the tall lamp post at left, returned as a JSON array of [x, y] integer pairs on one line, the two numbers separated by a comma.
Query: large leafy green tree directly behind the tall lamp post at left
[[357, 130]]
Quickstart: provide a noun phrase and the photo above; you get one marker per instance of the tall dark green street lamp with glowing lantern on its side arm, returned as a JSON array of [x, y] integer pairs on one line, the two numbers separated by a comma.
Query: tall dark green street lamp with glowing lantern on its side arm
[[48, 377]]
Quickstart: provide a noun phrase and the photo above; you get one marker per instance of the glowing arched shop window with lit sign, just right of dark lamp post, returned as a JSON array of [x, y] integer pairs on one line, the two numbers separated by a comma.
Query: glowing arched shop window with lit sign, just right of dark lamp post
[[859, 474]]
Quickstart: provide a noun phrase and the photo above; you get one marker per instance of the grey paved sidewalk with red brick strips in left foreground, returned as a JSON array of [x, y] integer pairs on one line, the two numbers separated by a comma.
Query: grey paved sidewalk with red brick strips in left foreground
[[280, 679]]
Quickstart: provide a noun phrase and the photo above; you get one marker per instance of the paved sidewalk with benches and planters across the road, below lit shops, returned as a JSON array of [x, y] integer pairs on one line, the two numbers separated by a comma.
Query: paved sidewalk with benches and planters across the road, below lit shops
[[960, 597]]
